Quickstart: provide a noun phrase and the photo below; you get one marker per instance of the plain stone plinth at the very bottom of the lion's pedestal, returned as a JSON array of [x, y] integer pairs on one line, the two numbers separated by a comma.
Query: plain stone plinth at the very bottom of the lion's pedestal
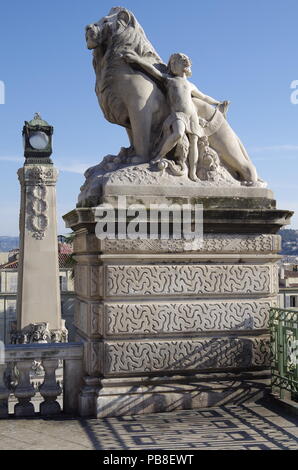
[[179, 393]]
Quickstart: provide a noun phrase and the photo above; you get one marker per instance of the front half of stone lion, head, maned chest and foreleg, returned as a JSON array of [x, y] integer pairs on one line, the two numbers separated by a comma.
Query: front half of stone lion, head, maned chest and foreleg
[[126, 96]]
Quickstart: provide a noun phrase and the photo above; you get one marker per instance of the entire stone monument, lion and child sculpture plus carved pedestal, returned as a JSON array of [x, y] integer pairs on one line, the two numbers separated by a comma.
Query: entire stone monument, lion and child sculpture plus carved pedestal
[[148, 310]]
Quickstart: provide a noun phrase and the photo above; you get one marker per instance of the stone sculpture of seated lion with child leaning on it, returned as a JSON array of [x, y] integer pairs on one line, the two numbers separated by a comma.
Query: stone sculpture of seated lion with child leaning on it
[[178, 118]]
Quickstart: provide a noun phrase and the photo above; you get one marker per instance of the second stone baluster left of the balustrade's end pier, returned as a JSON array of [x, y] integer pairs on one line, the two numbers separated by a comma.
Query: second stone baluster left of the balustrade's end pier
[[24, 390]]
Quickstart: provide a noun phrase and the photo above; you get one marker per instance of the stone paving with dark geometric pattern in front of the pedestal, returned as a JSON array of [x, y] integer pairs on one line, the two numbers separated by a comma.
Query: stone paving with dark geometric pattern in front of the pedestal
[[245, 427]]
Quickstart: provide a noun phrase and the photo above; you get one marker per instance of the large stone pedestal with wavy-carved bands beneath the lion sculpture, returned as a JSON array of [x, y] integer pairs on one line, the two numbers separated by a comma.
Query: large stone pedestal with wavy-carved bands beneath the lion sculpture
[[167, 325]]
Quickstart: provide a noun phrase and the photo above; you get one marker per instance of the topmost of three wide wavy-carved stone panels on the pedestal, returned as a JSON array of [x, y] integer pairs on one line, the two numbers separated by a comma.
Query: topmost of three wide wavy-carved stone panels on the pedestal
[[188, 279]]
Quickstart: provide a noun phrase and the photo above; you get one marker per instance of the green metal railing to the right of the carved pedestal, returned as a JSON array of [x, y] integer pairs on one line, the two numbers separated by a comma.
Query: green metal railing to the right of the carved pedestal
[[284, 349]]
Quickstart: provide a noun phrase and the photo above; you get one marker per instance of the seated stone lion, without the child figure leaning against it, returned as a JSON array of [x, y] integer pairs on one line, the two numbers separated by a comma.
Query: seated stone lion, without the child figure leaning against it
[[130, 97]]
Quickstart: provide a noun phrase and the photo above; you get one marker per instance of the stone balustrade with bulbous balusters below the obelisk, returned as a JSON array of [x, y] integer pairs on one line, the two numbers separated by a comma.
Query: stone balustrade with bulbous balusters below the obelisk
[[20, 358]]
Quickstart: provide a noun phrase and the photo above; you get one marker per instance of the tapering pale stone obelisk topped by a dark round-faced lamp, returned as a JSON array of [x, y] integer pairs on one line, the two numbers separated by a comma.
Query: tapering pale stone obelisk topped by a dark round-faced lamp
[[38, 302]]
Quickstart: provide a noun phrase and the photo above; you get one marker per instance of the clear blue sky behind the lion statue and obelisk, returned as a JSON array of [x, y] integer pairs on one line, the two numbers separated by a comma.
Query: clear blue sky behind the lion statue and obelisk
[[245, 52]]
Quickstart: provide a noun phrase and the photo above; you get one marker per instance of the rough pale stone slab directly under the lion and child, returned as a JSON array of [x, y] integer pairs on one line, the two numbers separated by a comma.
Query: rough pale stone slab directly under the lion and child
[[147, 183]]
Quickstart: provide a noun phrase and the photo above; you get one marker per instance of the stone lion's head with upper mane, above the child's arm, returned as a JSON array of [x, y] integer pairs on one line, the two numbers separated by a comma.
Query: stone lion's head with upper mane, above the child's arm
[[121, 31]]
